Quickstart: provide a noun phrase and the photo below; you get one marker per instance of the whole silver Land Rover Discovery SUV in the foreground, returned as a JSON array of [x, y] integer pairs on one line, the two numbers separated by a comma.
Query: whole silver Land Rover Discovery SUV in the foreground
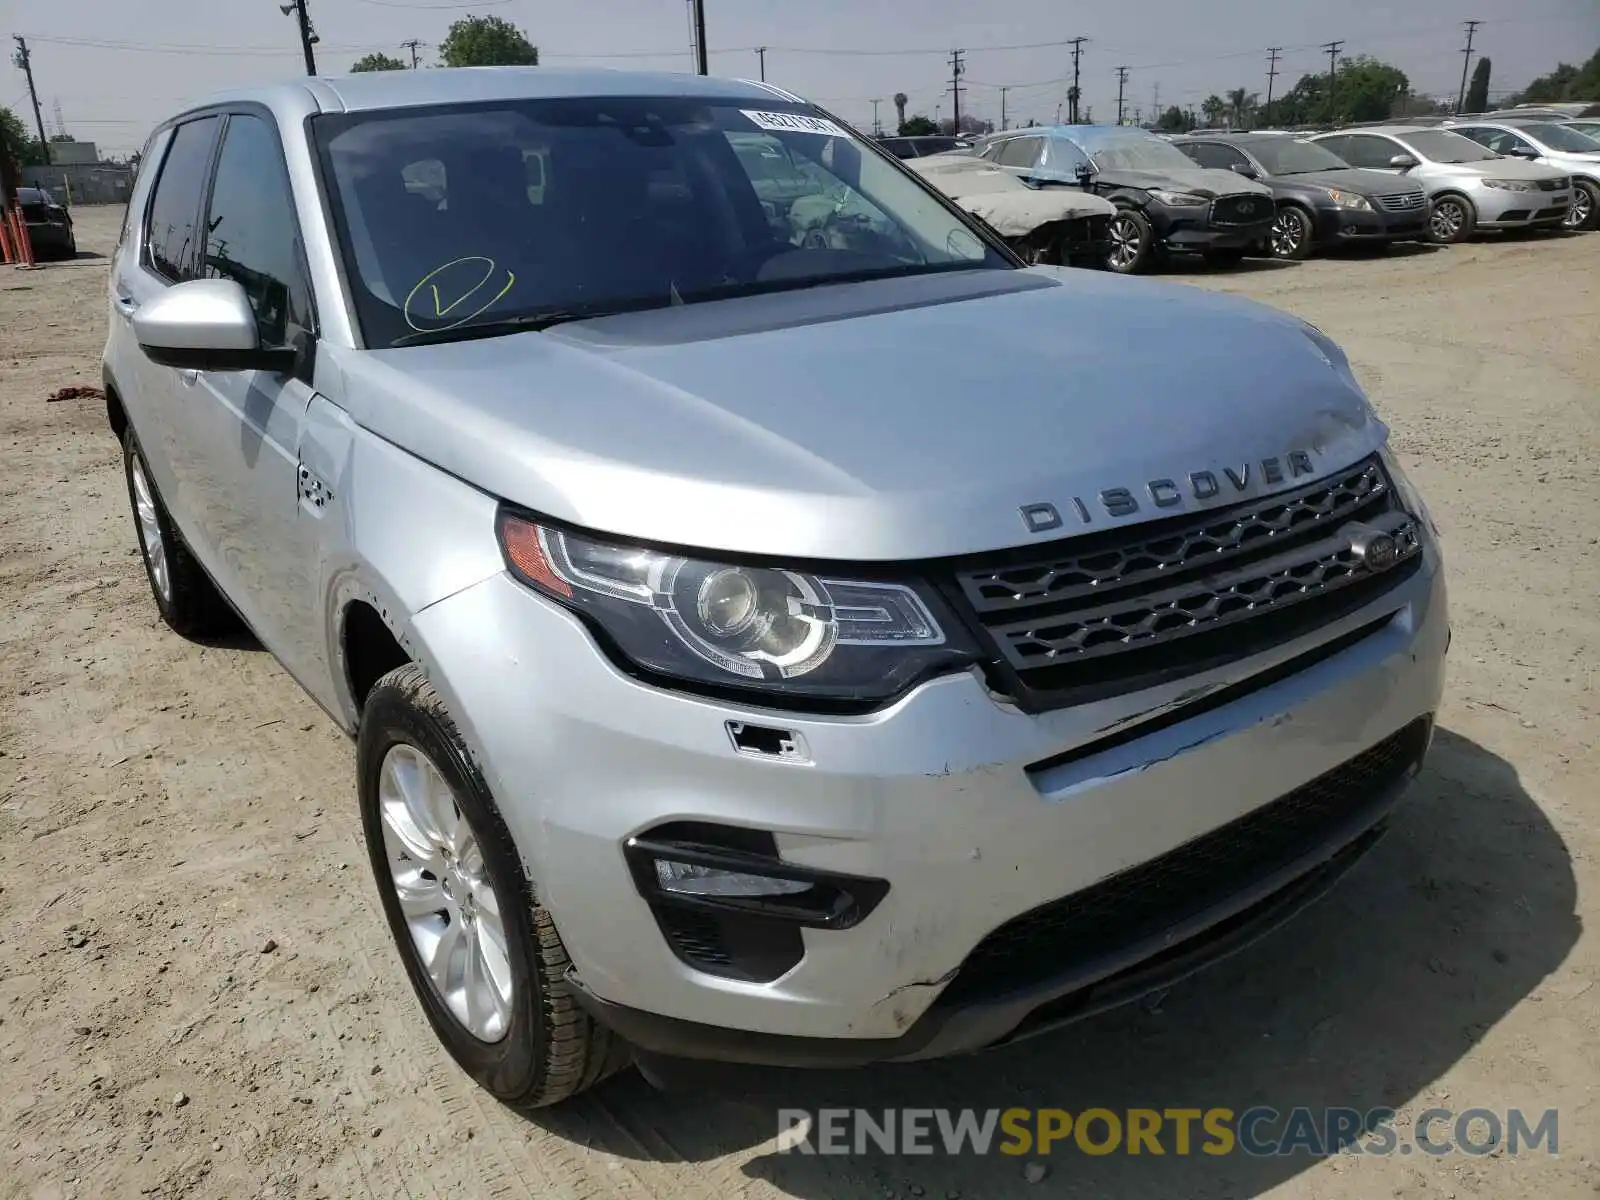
[[738, 668]]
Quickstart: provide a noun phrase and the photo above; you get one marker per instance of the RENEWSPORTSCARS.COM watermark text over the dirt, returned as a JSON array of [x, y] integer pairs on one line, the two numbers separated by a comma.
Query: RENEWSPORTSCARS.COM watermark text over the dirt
[[1258, 1132]]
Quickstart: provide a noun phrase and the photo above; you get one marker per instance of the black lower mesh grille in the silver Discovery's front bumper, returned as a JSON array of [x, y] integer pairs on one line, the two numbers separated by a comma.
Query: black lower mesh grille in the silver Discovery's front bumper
[[1154, 897]]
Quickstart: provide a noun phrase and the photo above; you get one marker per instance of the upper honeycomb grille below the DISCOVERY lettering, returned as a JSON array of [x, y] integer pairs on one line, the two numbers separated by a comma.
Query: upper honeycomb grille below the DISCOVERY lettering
[[1129, 609]]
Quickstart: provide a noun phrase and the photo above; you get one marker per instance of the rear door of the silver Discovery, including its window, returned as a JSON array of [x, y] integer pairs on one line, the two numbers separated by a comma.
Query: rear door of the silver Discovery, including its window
[[162, 254]]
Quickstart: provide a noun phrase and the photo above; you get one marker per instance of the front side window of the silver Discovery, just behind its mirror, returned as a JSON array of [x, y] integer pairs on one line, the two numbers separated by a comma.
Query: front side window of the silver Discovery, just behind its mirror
[[252, 236]]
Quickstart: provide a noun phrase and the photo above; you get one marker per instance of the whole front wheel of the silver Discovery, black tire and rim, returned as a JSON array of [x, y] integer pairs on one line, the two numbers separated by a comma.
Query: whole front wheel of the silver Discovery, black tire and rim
[[537, 1046]]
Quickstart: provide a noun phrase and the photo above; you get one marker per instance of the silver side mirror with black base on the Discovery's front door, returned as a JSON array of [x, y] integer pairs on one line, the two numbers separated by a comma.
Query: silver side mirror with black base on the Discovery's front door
[[206, 326]]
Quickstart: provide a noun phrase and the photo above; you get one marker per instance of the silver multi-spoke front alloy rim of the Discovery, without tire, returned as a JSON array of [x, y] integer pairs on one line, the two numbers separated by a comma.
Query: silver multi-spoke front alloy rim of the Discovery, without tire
[[439, 876]]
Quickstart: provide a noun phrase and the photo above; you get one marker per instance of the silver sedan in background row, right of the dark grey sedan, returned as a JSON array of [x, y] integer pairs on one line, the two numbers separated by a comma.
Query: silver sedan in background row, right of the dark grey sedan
[[1470, 188]]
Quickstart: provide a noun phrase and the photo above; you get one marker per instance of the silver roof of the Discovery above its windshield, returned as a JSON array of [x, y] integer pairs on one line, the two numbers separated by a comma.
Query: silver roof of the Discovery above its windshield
[[463, 86]]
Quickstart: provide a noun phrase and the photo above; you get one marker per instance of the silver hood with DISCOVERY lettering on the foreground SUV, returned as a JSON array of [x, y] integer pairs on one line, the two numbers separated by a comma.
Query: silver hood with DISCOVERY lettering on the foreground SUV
[[892, 420]]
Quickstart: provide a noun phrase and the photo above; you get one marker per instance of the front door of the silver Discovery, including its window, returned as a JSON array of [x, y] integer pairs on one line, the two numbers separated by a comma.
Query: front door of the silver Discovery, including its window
[[249, 425]]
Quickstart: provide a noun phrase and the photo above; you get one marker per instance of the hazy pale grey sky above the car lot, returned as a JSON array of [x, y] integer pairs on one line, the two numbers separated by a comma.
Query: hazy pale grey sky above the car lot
[[114, 68]]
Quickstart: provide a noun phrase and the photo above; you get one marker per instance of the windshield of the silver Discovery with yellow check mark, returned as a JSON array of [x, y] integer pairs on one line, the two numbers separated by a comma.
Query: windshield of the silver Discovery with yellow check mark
[[462, 217]]
